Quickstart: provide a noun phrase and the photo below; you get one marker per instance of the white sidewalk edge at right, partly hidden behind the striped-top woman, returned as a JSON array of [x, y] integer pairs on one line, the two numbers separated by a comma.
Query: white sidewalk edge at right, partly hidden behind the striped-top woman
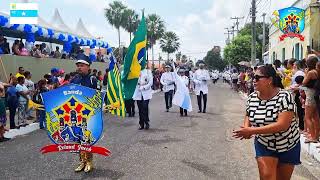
[[310, 148]]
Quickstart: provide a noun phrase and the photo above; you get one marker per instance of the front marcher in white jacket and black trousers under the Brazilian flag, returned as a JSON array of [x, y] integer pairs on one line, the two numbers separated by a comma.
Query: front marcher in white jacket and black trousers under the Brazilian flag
[[142, 95]]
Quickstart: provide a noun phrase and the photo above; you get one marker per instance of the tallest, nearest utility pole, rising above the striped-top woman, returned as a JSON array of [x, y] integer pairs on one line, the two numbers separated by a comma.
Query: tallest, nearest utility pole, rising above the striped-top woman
[[254, 36]]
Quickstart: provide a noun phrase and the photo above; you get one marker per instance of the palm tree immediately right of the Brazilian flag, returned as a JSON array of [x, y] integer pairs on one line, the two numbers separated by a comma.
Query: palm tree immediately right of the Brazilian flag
[[156, 29]]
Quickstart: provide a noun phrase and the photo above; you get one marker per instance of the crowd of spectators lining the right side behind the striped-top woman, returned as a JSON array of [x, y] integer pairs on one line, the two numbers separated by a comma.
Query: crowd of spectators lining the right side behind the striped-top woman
[[300, 77]]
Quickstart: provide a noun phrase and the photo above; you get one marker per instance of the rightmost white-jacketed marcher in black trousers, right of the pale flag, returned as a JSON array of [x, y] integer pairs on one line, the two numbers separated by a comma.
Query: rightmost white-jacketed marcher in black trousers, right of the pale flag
[[201, 78]]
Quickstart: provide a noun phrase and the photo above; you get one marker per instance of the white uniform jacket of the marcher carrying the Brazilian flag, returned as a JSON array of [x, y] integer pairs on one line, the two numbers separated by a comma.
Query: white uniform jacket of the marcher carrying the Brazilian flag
[[143, 88]]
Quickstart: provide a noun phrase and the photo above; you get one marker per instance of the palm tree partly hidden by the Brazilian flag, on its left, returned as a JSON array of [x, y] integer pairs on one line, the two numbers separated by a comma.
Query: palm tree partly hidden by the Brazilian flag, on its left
[[131, 21]]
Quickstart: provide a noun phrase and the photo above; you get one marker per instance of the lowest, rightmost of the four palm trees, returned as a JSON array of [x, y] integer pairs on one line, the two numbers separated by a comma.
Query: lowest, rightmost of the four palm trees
[[169, 43]]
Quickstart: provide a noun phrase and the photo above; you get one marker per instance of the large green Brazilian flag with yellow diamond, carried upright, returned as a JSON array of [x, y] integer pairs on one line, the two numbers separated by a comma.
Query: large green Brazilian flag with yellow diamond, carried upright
[[135, 60]]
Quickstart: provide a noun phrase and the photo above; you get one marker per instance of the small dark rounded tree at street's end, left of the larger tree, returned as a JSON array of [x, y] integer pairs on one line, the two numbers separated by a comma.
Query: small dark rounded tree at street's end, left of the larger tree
[[214, 60]]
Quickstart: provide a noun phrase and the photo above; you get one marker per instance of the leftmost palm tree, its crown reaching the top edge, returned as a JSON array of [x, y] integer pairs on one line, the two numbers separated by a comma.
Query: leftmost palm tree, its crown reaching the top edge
[[115, 15]]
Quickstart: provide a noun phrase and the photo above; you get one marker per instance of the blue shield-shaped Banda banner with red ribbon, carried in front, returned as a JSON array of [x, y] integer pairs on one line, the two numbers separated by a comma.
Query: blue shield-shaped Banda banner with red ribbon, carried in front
[[74, 119]]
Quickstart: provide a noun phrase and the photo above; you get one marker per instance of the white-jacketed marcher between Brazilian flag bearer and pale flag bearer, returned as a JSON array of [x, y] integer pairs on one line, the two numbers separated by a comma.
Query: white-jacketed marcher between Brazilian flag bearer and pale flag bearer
[[167, 80]]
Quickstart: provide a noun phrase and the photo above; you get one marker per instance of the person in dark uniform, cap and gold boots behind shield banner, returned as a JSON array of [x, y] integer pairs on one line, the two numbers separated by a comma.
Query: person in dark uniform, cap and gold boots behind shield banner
[[85, 79]]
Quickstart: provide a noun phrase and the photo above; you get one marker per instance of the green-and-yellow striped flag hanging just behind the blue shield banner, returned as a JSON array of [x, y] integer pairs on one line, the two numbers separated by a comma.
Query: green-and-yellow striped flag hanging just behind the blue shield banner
[[115, 103]]
